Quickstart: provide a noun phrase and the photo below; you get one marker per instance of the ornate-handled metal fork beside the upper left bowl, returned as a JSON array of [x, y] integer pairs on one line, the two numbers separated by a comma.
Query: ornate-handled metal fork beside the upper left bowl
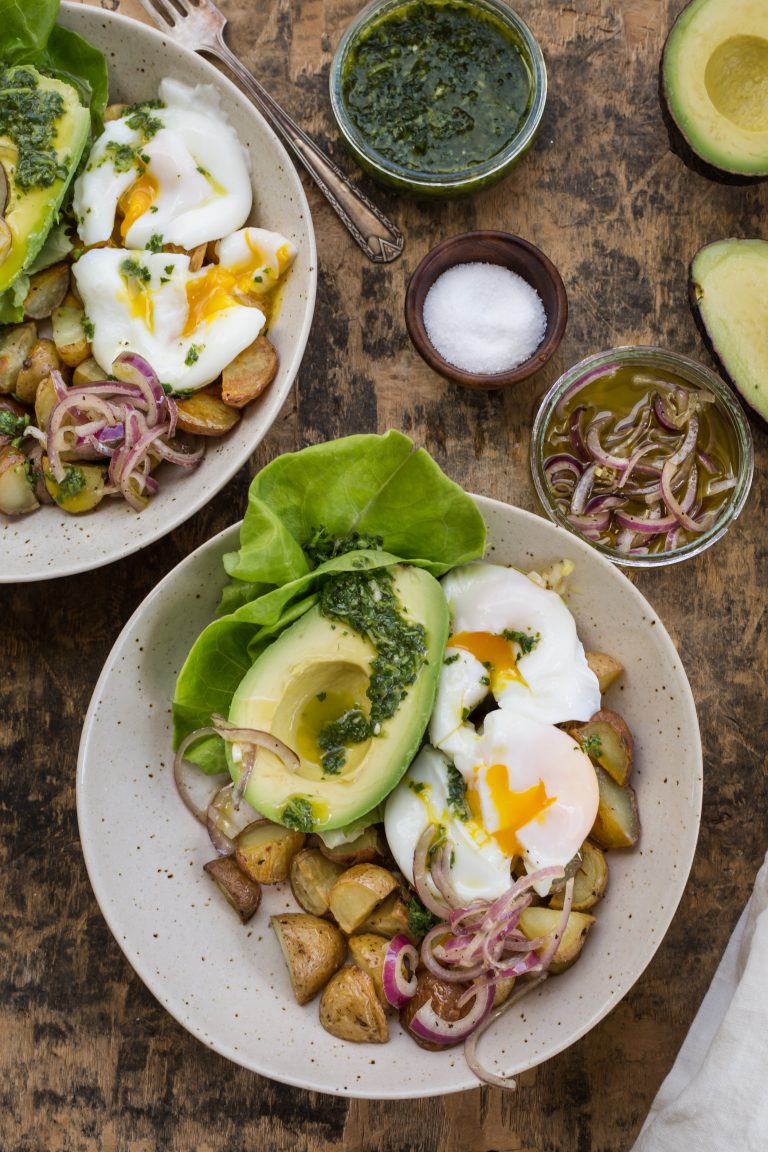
[[200, 27]]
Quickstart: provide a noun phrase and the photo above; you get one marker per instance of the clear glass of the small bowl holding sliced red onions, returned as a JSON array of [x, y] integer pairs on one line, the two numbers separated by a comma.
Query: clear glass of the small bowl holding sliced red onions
[[691, 373]]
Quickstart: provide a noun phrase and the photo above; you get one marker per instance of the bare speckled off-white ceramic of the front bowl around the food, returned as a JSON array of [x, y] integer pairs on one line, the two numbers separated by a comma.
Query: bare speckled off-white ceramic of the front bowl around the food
[[229, 984]]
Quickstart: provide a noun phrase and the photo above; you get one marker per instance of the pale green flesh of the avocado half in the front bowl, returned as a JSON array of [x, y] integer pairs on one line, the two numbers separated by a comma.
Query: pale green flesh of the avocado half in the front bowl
[[317, 673]]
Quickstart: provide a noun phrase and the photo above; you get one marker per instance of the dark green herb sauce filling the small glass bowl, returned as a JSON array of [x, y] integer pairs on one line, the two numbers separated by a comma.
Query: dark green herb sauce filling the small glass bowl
[[437, 88]]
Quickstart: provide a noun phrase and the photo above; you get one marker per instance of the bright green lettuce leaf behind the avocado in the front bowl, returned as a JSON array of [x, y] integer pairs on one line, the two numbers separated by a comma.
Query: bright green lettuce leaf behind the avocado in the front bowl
[[377, 487]]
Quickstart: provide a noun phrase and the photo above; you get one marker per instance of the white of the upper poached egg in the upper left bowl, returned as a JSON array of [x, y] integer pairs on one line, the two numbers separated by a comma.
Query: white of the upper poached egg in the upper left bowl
[[195, 161]]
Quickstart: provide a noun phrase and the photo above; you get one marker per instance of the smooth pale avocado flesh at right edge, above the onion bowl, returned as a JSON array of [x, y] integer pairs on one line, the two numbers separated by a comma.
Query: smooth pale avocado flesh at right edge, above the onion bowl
[[729, 287]]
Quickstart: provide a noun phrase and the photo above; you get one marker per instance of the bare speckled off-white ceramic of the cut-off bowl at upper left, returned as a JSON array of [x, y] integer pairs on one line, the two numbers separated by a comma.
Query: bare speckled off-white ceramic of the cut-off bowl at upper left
[[50, 543]]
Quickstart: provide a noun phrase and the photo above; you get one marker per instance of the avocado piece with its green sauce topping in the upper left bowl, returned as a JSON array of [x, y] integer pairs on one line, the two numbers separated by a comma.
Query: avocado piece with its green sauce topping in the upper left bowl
[[43, 133]]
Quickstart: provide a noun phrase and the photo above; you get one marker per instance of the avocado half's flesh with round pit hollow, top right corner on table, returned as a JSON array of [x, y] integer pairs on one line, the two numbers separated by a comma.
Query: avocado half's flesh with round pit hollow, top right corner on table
[[716, 82]]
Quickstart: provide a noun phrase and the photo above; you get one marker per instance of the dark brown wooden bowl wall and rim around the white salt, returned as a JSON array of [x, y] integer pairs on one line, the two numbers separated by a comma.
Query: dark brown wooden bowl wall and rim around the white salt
[[423, 279]]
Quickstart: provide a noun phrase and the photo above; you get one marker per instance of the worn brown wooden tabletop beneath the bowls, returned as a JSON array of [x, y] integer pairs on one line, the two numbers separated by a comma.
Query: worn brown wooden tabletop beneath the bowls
[[88, 1059]]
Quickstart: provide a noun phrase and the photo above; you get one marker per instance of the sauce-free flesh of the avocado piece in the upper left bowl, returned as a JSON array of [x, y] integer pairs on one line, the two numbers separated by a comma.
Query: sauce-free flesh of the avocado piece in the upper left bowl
[[31, 211]]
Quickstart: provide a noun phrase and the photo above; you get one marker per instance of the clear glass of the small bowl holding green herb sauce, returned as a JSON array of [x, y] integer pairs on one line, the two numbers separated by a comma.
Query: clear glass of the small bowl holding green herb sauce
[[429, 184]]
